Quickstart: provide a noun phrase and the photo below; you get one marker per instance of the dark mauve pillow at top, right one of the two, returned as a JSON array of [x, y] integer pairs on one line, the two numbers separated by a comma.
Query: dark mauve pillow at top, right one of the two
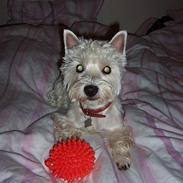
[[69, 11]]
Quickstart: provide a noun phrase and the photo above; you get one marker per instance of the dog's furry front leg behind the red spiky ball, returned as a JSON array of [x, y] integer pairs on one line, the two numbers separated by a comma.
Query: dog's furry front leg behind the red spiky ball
[[64, 128]]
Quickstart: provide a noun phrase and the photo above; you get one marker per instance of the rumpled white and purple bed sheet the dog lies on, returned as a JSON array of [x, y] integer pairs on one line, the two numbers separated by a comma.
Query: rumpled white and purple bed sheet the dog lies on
[[152, 101]]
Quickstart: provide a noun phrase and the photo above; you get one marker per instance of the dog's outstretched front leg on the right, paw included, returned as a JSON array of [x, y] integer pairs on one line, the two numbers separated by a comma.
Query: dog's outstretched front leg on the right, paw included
[[120, 142]]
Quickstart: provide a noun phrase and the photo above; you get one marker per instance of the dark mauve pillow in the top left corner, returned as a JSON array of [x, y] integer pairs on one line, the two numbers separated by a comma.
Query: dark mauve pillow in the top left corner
[[31, 11]]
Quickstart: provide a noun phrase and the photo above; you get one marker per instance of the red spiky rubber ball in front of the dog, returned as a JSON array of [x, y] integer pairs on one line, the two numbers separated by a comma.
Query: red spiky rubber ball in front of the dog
[[71, 159]]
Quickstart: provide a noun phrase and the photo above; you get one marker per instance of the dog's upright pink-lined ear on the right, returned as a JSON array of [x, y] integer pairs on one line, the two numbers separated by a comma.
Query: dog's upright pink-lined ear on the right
[[119, 41]]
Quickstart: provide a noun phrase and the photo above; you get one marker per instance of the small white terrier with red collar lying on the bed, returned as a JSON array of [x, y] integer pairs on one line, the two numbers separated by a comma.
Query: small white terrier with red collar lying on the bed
[[92, 73]]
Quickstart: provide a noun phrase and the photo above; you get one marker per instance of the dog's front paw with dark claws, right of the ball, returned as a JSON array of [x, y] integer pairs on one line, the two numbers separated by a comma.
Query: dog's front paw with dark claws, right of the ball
[[123, 162]]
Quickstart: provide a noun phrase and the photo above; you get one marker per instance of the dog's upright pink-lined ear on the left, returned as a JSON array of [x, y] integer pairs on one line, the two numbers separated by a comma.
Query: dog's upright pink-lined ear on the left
[[70, 39]]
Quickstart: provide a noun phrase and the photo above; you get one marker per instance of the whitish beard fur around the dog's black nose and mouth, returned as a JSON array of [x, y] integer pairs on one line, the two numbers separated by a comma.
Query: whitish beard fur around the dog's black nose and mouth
[[105, 94]]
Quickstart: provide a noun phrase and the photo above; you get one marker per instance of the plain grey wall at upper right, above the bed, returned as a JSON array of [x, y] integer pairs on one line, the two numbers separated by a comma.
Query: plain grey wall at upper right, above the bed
[[131, 13]]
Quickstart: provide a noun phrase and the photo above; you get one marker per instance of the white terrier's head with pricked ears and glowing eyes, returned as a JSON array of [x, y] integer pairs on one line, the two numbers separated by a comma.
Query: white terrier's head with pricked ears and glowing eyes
[[93, 69]]
